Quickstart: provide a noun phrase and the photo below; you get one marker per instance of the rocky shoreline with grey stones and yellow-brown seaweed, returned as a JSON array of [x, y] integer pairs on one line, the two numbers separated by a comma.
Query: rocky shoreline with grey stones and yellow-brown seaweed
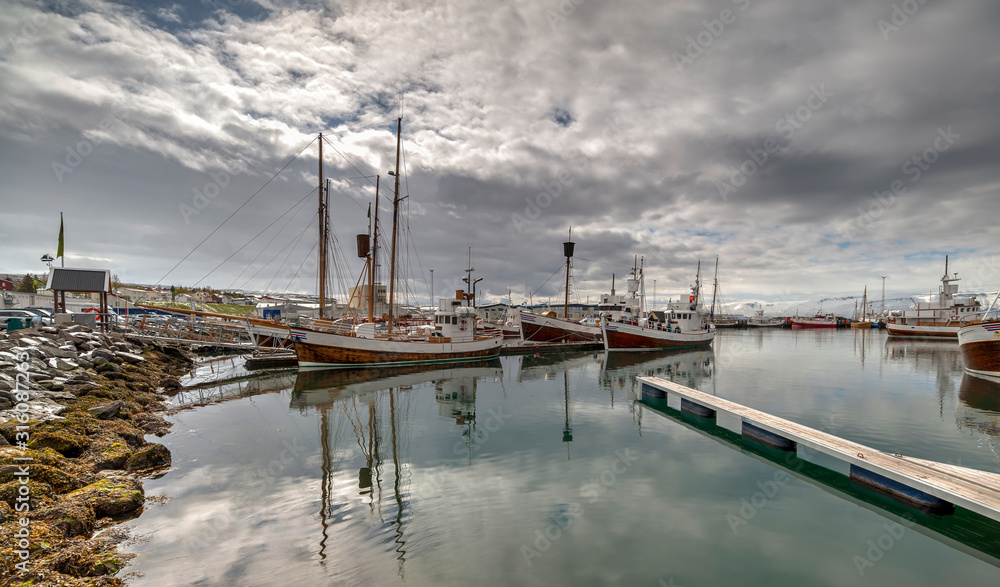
[[73, 449]]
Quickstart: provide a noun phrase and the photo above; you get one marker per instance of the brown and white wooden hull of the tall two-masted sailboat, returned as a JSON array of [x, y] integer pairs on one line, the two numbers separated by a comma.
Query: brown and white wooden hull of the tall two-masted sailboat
[[320, 349]]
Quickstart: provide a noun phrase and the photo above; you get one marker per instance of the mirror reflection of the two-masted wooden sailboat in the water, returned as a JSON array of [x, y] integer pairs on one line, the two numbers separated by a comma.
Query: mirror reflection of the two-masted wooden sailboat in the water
[[374, 402]]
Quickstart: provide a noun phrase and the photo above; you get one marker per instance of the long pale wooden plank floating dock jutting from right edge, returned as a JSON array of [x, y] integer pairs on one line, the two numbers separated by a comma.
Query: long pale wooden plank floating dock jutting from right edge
[[974, 490]]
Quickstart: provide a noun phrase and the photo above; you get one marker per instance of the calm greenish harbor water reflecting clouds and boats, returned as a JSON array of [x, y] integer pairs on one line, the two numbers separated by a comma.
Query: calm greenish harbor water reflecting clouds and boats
[[554, 470]]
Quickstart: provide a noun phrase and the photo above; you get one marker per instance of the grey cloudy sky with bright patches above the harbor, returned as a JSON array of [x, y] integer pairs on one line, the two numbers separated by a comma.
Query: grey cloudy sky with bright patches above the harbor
[[813, 146]]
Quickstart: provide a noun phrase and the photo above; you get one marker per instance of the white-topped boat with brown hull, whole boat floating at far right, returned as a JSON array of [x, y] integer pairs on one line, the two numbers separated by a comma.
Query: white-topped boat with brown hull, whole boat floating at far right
[[937, 319]]
